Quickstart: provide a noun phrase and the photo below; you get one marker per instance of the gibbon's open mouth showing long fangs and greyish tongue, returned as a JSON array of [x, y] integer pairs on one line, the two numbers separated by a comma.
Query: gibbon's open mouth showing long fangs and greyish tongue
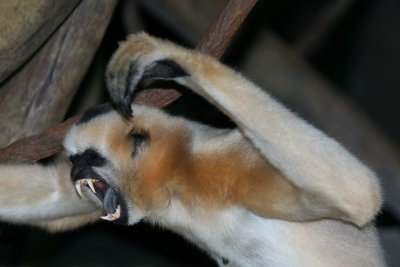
[[105, 193]]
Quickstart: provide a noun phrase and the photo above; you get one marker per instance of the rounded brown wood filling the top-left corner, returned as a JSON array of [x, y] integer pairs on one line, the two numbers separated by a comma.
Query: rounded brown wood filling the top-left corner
[[24, 26]]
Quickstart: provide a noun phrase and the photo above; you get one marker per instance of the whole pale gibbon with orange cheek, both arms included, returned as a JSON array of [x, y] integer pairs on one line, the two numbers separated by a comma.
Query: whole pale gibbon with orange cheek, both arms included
[[274, 192]]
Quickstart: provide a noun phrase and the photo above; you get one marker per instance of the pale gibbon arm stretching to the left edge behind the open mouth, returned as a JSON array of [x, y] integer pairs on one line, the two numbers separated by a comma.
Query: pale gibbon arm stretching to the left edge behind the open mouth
[[43, 196]]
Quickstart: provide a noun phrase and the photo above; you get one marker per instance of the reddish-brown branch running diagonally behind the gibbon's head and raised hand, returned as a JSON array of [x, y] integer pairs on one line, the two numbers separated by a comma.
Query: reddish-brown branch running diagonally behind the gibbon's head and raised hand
[[215, 42]]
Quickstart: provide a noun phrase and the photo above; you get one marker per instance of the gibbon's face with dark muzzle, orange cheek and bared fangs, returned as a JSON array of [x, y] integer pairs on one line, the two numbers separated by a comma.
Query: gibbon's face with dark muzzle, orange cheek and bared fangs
[[126, 164]]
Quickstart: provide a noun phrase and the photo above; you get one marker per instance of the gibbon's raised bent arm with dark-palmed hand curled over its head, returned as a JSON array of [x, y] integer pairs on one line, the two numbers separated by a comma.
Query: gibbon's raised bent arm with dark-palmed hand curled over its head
[[322, 170]]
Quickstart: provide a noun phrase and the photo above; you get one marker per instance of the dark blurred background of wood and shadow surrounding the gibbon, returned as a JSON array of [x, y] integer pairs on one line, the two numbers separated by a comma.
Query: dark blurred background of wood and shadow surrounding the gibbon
[[334, 62]]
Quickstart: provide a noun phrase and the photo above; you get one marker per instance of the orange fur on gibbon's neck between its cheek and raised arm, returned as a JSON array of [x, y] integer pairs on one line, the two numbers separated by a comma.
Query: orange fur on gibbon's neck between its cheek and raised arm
[[240, 176]]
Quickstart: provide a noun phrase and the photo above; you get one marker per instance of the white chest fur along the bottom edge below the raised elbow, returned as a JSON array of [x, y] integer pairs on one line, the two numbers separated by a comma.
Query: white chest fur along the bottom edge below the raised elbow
[[248, 240]]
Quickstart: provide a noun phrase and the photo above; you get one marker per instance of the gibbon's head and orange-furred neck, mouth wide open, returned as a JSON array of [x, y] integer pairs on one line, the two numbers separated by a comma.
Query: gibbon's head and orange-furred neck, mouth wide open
[[138, 167]]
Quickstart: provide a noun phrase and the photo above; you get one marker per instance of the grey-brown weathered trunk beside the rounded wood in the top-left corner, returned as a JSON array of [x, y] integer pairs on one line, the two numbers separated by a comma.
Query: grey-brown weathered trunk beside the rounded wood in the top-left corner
[[40, 93]]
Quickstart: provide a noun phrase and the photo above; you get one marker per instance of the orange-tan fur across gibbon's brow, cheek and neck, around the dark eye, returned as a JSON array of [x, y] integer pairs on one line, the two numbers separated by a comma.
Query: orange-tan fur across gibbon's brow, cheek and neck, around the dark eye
[[210, 180]]
